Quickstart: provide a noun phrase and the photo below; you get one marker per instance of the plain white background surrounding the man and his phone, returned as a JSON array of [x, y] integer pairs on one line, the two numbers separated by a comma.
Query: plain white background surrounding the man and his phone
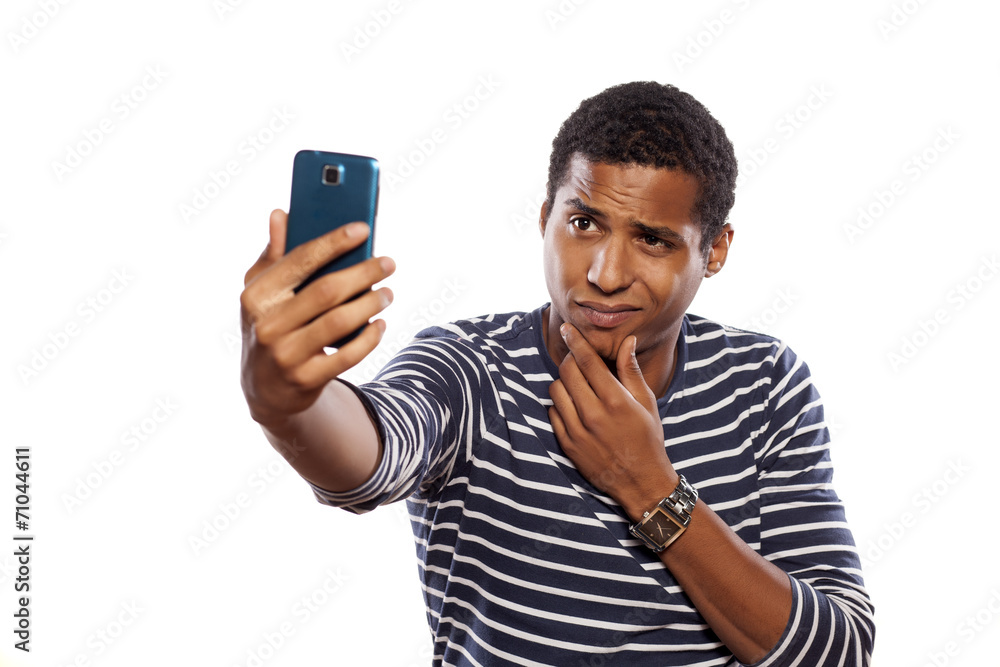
[[87, 355]]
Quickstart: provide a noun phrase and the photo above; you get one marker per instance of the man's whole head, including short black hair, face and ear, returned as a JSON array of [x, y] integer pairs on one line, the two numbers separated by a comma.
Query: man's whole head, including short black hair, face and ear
[[640, 184]]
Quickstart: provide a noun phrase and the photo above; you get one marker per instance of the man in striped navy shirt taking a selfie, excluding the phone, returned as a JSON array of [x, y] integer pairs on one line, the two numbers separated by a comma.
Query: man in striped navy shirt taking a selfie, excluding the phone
[[605, 479]]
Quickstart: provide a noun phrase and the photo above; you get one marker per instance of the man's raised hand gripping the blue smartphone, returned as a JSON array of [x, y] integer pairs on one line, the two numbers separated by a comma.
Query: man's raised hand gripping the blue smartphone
[[287, 323]]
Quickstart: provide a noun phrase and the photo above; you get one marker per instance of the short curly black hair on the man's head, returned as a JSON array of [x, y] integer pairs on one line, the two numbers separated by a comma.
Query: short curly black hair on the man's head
[[649, 124]]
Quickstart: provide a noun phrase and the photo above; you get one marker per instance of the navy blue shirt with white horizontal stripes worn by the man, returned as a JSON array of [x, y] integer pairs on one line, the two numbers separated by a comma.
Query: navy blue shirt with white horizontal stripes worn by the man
[[524, 562]]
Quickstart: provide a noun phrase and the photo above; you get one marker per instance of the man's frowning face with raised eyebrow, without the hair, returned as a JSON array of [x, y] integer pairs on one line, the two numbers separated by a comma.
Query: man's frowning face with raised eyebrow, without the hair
[[622, 256]]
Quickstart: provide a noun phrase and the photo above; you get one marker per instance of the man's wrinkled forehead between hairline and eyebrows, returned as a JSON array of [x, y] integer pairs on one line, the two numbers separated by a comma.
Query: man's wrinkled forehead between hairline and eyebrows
[[665, 195]]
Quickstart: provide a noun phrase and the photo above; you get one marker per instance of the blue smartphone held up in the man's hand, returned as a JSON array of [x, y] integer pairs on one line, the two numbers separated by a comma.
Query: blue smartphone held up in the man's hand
[[330, 190]]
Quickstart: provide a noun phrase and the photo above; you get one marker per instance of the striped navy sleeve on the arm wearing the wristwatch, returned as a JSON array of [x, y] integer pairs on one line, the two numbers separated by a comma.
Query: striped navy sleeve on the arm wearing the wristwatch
[[803, 528]]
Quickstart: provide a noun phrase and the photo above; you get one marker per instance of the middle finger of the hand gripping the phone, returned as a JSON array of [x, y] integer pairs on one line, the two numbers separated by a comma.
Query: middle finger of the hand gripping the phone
[[329, 292]]
